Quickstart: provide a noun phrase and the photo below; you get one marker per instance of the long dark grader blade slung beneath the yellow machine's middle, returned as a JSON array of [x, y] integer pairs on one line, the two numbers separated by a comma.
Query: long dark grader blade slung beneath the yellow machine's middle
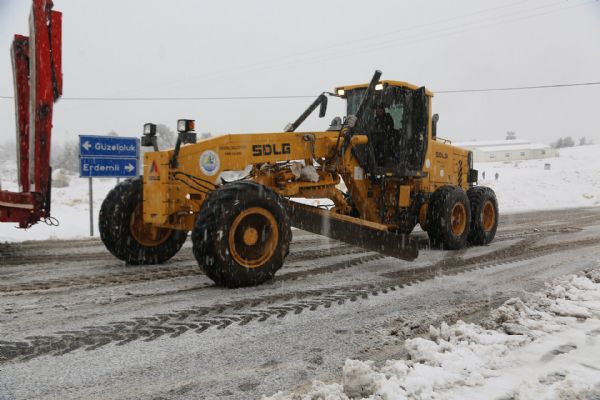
[[355, 231]]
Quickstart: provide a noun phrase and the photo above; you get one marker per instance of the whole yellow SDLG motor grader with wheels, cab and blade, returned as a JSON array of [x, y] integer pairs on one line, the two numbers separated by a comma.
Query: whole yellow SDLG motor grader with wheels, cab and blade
[[385, 151]]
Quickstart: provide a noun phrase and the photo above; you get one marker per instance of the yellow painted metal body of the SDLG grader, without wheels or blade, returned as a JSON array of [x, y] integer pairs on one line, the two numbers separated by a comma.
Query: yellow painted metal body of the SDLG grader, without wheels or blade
[[171, 199]]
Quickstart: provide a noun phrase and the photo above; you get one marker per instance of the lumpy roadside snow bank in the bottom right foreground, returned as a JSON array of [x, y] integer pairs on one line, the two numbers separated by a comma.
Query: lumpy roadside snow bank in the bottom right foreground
[[546, 347]]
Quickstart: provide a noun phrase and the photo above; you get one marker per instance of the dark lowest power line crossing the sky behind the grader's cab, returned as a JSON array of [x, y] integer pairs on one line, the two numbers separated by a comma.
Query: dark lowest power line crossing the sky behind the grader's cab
[[501, 89]]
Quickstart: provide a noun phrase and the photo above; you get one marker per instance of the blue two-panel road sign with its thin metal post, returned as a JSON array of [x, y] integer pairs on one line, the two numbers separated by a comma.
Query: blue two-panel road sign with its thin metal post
[[107, 157]]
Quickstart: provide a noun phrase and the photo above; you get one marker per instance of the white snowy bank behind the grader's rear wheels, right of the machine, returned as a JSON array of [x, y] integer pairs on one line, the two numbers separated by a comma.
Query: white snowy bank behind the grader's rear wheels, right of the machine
[[573, 180]]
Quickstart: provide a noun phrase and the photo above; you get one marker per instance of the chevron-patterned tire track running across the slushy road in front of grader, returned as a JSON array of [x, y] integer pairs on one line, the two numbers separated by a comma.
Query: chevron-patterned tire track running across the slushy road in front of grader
[[260, 308]]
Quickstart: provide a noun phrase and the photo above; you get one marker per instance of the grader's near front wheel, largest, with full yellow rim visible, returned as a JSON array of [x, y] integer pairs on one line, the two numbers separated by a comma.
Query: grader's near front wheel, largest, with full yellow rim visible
[[242, 234]]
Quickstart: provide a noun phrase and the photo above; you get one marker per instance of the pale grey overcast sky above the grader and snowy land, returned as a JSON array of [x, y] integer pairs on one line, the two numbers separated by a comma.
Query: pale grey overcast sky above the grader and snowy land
[[151, 48]]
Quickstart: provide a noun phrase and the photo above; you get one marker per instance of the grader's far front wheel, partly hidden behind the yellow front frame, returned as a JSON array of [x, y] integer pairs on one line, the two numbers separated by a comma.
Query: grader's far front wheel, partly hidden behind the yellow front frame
[[126, 236]]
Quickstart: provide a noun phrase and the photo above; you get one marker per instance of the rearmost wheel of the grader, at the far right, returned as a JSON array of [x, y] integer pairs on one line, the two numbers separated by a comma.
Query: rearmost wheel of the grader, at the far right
[[484, 215]]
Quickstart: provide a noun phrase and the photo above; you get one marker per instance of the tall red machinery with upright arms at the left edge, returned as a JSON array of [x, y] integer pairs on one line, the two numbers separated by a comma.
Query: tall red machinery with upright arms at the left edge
[[38, 84]]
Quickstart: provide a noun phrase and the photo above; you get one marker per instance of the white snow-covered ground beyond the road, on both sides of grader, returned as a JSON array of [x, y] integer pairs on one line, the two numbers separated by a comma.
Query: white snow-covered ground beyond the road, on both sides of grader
[[573, 180]]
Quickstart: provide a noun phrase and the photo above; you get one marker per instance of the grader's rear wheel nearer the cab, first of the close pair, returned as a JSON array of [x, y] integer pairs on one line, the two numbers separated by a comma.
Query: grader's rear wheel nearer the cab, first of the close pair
[[448, 218]]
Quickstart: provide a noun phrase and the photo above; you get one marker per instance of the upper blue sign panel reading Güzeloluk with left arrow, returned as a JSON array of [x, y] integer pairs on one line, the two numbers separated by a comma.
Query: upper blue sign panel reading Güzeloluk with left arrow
[[108, 146]]
